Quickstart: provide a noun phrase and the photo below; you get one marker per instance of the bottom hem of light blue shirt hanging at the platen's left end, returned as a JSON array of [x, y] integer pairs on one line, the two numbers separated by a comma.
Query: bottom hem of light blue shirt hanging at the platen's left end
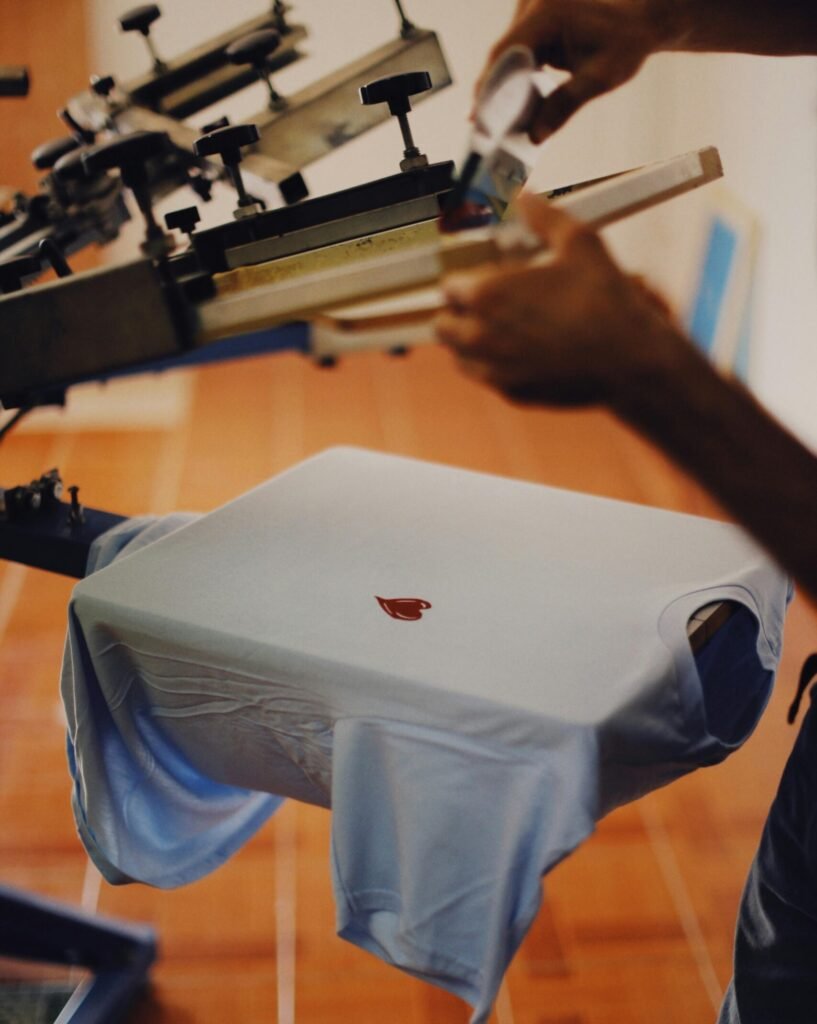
[[143, 810]]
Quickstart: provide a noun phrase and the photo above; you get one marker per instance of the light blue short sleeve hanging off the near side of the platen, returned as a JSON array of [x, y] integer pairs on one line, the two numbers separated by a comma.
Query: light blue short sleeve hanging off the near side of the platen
[[442, 884]]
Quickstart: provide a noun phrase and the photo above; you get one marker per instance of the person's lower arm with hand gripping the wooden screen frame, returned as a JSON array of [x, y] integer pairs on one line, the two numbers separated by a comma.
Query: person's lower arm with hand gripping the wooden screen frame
[[576, 330]]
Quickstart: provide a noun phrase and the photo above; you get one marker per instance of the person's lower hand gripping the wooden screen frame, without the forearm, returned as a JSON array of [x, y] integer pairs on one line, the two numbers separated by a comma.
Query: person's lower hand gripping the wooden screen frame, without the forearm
[[570, 329]]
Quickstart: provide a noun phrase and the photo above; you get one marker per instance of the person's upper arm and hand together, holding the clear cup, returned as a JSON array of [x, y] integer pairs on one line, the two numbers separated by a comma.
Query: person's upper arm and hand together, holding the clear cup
[[604, 44]]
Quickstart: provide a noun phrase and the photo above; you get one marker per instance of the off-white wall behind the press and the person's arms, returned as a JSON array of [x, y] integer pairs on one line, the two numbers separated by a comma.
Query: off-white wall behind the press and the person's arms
[[761, 113]]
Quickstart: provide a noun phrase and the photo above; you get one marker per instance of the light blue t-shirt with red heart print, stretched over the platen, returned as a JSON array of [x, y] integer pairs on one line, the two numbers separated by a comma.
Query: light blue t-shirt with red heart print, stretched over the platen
[[470, 671]]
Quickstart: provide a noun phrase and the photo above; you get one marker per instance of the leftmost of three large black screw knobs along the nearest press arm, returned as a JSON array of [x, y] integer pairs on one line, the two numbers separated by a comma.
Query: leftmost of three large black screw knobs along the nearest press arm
[[130, 155]]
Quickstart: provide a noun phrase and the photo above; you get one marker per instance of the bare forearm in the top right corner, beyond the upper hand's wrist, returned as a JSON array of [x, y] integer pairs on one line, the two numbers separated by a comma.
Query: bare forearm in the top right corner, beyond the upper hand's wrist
[[766, 27]]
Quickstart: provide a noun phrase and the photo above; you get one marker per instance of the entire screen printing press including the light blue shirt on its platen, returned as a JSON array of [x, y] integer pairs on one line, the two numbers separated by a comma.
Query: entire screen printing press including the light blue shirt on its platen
[[380, 658]]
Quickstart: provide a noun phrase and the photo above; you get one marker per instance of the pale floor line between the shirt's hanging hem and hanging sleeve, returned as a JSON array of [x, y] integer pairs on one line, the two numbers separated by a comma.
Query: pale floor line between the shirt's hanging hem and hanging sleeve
[[286, 900]]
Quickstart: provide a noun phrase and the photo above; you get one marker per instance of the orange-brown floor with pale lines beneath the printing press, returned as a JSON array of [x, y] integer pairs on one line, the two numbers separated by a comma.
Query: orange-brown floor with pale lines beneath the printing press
[[636, 926]]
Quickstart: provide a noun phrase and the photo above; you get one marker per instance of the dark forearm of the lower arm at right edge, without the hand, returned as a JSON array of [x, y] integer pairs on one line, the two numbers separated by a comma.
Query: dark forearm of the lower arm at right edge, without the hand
[[717, 432]]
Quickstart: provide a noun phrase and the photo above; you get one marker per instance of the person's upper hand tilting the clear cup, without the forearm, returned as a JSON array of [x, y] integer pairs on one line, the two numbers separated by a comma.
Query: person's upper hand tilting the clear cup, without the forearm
[[603, 45]]
